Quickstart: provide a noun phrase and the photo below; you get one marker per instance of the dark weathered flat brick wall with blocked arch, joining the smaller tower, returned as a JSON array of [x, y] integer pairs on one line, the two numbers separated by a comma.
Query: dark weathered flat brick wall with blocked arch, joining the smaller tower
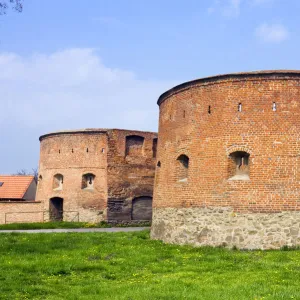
[[131, 168]]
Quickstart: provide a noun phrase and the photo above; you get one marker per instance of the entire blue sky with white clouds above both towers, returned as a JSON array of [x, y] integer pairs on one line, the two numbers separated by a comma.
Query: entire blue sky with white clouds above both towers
[[82, 64]]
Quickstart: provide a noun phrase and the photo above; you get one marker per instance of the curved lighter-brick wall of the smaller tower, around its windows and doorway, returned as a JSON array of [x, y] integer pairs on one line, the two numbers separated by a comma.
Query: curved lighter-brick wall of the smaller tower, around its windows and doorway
[[67, 154]]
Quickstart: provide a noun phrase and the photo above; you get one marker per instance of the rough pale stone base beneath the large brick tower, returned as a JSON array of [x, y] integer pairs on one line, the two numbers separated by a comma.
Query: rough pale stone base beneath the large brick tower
[[220, 226]]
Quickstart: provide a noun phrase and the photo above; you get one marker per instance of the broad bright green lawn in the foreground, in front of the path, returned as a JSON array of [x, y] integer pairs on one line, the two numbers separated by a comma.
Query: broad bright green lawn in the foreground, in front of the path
[[130, 266]]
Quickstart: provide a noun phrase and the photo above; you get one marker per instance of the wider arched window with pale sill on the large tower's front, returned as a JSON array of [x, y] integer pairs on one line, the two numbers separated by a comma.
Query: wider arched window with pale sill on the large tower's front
[[239, 165]]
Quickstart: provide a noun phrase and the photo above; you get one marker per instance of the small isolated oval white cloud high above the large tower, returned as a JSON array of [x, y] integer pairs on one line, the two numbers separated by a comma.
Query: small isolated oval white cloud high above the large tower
[[273, 33]]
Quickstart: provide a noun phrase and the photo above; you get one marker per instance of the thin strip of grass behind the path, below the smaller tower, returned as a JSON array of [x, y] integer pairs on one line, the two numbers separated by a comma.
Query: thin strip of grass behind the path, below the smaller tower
[[56, 225]]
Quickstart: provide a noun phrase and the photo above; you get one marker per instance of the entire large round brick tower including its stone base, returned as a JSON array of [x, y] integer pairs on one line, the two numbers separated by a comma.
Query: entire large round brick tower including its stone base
[[228, 161]]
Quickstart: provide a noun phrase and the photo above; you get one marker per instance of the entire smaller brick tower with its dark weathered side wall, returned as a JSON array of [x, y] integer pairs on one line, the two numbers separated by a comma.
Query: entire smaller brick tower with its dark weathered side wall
[[92, 175]]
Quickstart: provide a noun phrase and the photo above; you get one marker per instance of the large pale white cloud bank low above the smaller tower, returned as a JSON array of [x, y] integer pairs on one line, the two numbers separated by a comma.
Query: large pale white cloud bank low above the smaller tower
[[74, 89]]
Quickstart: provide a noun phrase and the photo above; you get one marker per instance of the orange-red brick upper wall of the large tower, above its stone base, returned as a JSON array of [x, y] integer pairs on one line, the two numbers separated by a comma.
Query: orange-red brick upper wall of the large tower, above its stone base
[[272, 138]]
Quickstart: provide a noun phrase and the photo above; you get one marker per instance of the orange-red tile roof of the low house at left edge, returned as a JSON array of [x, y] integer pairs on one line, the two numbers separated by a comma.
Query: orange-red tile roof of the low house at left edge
[[15, 186]]
